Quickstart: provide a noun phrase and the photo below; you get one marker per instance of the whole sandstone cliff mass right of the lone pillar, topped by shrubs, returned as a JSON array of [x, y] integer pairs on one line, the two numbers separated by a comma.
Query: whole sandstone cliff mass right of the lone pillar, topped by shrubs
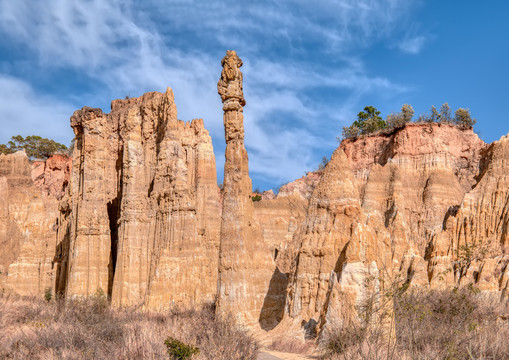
[[401, 193]]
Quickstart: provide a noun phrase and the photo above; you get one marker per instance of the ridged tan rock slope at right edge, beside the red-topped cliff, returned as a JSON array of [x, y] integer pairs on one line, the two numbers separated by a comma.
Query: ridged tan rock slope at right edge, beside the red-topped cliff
[[475, 240]]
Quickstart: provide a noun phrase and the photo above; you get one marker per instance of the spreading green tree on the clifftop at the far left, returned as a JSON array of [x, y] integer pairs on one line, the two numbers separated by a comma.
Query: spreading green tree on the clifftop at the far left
[[35, 147]]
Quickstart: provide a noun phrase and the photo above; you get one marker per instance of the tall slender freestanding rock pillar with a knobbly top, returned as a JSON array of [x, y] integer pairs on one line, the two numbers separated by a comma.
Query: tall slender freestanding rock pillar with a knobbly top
[[245, 263]]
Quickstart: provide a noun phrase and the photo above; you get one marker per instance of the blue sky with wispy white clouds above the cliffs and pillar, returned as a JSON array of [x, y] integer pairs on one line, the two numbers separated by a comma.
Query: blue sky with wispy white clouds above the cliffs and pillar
[[309, 66]]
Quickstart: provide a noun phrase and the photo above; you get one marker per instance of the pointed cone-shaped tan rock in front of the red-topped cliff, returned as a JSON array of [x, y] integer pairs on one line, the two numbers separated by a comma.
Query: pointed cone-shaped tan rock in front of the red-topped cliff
[[338, 242]]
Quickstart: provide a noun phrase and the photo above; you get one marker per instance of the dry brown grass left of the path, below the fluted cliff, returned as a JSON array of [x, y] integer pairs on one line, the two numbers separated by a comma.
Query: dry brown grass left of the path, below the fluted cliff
[[89, 329]]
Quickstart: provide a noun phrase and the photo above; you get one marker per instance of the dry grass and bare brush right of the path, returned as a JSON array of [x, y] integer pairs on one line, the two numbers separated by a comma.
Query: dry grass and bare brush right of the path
[[449, 324]]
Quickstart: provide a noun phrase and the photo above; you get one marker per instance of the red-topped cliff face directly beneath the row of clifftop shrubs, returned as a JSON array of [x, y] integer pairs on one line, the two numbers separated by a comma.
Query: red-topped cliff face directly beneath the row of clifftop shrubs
[[411, 178]]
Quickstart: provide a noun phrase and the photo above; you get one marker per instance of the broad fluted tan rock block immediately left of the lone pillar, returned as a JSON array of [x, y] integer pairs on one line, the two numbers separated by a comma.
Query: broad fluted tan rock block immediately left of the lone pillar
[[143, 210]]
